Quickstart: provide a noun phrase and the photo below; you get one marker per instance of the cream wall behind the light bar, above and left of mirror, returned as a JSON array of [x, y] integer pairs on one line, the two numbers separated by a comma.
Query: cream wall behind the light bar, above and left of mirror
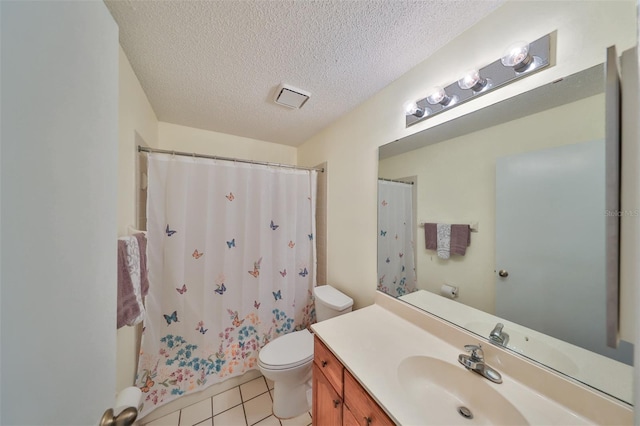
[[584, 30]]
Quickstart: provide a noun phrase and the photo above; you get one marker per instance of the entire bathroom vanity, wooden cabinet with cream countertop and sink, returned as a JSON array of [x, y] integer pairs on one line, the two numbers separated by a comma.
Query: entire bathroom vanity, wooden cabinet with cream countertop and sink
[[367, 372]]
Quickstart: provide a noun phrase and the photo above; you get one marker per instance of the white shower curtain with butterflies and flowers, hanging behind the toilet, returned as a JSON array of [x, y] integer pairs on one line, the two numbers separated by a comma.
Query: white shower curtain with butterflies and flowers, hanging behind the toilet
[[231, 259]]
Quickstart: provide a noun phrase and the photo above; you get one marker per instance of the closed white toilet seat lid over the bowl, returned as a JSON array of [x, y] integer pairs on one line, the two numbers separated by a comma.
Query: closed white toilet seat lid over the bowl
[[287, 351]]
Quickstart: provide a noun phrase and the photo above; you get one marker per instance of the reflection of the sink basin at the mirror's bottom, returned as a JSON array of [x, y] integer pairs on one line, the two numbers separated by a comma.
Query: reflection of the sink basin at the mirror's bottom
[[531, 346]]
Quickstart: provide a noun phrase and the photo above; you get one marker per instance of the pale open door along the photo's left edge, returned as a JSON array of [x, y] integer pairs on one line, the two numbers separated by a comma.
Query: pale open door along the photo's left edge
[[58, 174]]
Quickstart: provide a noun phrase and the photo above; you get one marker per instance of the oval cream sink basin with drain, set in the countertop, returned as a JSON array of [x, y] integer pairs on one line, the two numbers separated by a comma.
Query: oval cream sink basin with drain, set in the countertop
[[447, 393]]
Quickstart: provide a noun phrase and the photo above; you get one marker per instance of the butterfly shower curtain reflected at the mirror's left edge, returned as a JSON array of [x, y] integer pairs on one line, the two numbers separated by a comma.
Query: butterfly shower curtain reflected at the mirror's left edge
[[396, 261]]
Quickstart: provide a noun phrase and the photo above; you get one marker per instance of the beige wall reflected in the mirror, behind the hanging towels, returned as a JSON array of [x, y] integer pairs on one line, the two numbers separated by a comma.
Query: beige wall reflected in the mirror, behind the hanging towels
[[458, 177]]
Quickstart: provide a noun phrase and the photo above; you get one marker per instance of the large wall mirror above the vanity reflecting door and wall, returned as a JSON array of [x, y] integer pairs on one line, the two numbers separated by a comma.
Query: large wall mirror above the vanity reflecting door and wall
[[529, 171]]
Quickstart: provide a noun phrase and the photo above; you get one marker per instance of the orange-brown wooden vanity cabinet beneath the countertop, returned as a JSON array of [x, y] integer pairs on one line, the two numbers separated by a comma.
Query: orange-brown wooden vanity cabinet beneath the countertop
[[338, 398]]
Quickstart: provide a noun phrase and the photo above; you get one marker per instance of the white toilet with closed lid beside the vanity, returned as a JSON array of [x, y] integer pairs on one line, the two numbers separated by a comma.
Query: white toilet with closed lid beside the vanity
[[287, 360]]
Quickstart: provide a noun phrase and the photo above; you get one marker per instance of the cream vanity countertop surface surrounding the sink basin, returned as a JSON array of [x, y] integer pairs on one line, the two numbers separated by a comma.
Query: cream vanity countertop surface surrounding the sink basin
[[372, 342]]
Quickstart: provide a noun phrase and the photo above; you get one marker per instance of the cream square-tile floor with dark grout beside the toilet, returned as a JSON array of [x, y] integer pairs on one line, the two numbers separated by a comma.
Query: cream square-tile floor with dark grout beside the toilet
[[245, 405]]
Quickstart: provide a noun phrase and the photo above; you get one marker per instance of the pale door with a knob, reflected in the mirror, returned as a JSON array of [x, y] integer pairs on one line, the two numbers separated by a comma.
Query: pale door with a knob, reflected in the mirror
[[550, 234]]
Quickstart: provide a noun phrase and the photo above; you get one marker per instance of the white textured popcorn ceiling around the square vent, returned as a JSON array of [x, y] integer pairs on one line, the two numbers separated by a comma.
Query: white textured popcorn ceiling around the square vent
[[216, 65]]
